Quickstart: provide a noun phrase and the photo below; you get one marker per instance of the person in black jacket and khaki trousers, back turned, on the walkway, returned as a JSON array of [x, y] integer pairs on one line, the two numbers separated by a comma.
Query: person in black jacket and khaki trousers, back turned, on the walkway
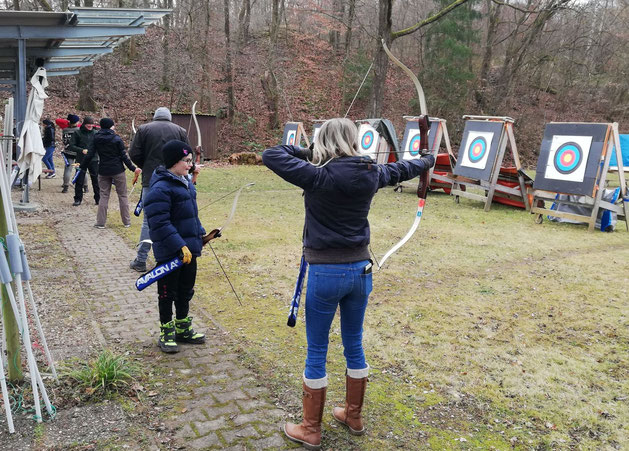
[[110, 149]]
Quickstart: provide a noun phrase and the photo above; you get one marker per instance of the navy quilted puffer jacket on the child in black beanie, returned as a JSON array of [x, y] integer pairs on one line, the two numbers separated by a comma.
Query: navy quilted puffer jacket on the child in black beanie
[[171, 211]]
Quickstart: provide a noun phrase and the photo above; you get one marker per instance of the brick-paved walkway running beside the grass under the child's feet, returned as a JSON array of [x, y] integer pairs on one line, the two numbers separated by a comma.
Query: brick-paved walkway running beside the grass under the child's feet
[[220, 404]]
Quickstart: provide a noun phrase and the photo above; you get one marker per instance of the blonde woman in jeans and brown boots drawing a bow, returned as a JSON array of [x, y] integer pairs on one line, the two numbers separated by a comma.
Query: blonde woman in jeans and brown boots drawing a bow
[[339, 184]]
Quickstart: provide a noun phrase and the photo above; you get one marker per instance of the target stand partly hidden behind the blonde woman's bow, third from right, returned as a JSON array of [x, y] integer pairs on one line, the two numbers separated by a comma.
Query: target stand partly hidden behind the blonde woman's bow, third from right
[[439, 176]]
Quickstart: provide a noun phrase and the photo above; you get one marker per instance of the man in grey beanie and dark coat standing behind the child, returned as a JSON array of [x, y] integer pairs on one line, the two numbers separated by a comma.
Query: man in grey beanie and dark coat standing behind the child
[[146, 153]]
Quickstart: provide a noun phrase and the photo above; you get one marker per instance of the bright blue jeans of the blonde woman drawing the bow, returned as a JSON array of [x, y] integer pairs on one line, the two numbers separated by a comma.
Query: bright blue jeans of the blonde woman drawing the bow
[[344, 285]]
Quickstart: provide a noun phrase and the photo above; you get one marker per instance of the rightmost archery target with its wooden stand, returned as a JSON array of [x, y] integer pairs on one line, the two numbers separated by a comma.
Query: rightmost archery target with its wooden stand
[[574, 159]]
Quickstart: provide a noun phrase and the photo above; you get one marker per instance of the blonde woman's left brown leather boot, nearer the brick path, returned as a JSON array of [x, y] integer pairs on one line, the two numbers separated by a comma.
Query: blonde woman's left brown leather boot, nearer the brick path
[[308, 432]]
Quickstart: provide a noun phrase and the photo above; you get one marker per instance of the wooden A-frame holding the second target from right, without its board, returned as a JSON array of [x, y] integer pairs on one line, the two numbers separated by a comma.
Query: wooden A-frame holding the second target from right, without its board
[[492, 186]]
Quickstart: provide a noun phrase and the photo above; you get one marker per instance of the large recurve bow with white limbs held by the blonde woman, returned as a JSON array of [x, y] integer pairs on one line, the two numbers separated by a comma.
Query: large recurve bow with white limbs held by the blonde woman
[[424, 126]]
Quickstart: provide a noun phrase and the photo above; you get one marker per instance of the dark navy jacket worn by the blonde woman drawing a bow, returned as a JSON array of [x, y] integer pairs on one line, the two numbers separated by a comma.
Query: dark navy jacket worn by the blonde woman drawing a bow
[[337, 197]]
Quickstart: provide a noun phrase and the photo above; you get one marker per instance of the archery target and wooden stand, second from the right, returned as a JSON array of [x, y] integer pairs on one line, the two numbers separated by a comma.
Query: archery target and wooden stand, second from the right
[[479, 165]]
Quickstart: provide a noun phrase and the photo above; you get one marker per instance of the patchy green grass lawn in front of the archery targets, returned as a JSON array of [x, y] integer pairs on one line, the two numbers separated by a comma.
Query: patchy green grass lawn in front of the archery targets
[[484, 330]]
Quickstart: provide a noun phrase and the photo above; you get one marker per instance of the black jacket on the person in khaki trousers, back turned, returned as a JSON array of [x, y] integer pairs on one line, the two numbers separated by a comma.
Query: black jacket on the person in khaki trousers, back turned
[[108, 147]]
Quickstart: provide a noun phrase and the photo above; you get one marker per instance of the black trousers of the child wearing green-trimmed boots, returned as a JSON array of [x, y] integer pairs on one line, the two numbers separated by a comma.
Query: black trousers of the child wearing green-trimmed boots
[[176, 288]]
